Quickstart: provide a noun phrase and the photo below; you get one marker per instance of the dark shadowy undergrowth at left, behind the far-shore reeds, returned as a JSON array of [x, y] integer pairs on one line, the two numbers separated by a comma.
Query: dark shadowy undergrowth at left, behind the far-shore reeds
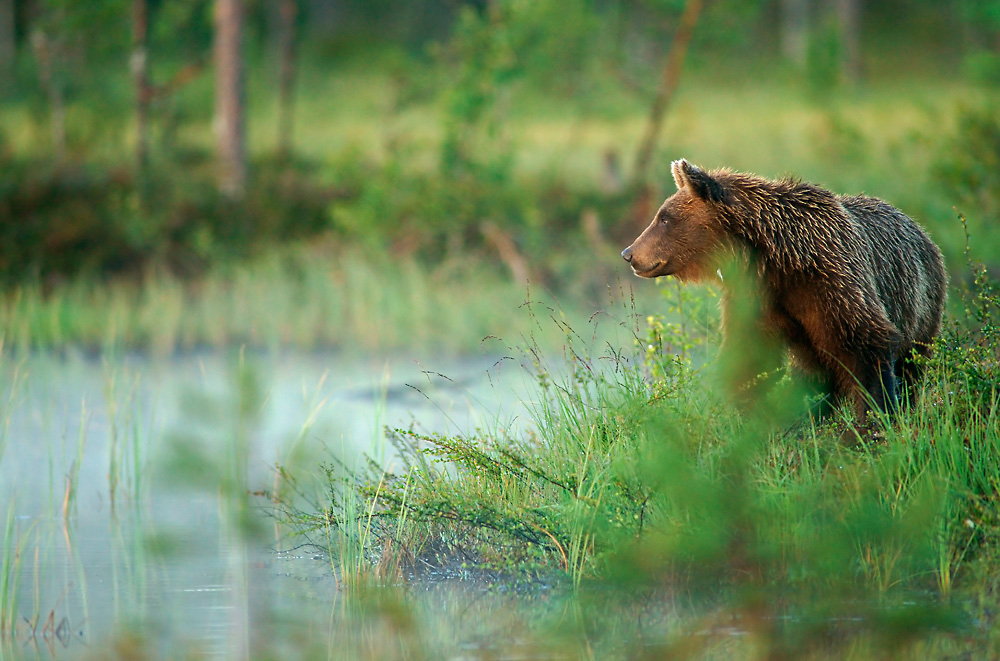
[[94, 221]]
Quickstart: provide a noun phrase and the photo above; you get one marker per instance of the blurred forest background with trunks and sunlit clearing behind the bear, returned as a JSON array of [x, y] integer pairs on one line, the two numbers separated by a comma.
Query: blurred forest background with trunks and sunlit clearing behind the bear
[[152, 140]]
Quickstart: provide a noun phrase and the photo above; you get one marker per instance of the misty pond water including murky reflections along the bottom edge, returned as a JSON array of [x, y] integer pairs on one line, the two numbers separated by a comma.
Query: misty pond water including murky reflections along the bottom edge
[[134, 498]]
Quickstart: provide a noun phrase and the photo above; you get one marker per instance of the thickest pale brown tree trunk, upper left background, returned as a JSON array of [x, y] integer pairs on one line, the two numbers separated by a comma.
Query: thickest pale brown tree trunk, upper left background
[[229, 97]]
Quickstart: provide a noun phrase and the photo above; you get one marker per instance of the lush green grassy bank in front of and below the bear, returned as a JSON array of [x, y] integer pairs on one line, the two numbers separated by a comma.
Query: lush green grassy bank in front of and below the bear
[[632, 486]]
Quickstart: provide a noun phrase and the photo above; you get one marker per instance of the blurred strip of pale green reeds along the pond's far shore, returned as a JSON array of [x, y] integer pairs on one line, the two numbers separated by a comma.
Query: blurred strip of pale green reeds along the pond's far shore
[[295, 298]]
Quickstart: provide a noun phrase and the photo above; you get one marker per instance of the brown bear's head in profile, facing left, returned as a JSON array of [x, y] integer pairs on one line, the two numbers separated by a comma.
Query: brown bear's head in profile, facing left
[[686, 234]]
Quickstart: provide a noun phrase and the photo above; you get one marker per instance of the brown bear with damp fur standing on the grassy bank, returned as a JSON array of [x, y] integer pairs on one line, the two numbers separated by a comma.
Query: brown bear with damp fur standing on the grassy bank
[[851, 284]]
